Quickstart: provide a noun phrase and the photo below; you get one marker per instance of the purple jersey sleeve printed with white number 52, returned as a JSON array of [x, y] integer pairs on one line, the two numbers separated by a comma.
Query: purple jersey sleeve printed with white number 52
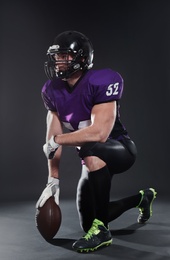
[[107, 86]]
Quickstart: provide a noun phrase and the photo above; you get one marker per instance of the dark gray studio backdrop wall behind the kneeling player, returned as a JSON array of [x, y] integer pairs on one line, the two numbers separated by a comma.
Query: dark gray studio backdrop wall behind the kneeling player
[[132, 37]]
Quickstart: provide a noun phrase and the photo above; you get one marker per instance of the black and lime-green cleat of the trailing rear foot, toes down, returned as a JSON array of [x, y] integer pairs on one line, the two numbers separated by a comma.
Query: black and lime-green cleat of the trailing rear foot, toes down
[[145, 205]]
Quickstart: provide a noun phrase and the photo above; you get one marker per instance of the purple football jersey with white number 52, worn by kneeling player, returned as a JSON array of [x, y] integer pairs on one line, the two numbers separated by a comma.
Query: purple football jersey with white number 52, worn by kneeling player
[[74, 105]]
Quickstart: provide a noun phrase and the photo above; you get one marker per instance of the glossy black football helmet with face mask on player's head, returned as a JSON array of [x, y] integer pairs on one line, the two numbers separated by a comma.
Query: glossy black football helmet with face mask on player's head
[[74, 43]]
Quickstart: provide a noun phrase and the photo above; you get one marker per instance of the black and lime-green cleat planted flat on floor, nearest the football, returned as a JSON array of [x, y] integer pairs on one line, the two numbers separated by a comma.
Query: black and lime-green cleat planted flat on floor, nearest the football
[[97, 236]]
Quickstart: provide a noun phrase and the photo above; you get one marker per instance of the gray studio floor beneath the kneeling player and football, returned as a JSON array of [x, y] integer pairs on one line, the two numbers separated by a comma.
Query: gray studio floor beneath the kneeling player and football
[[20, 239]]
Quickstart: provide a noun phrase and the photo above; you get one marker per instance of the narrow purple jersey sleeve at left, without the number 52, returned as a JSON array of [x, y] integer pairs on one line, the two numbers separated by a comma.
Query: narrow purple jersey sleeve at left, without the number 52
[[46, 95]]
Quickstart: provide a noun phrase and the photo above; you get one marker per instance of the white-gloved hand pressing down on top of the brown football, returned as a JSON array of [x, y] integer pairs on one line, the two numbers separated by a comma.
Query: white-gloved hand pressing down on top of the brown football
[[52, 189]]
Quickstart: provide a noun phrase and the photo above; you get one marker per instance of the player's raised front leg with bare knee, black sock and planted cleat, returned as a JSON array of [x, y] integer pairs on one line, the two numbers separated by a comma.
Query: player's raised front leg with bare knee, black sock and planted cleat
[[115, 155]]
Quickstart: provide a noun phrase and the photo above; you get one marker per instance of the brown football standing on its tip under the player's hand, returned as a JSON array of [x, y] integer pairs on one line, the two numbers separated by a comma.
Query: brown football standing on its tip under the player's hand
[[48, 219]]
